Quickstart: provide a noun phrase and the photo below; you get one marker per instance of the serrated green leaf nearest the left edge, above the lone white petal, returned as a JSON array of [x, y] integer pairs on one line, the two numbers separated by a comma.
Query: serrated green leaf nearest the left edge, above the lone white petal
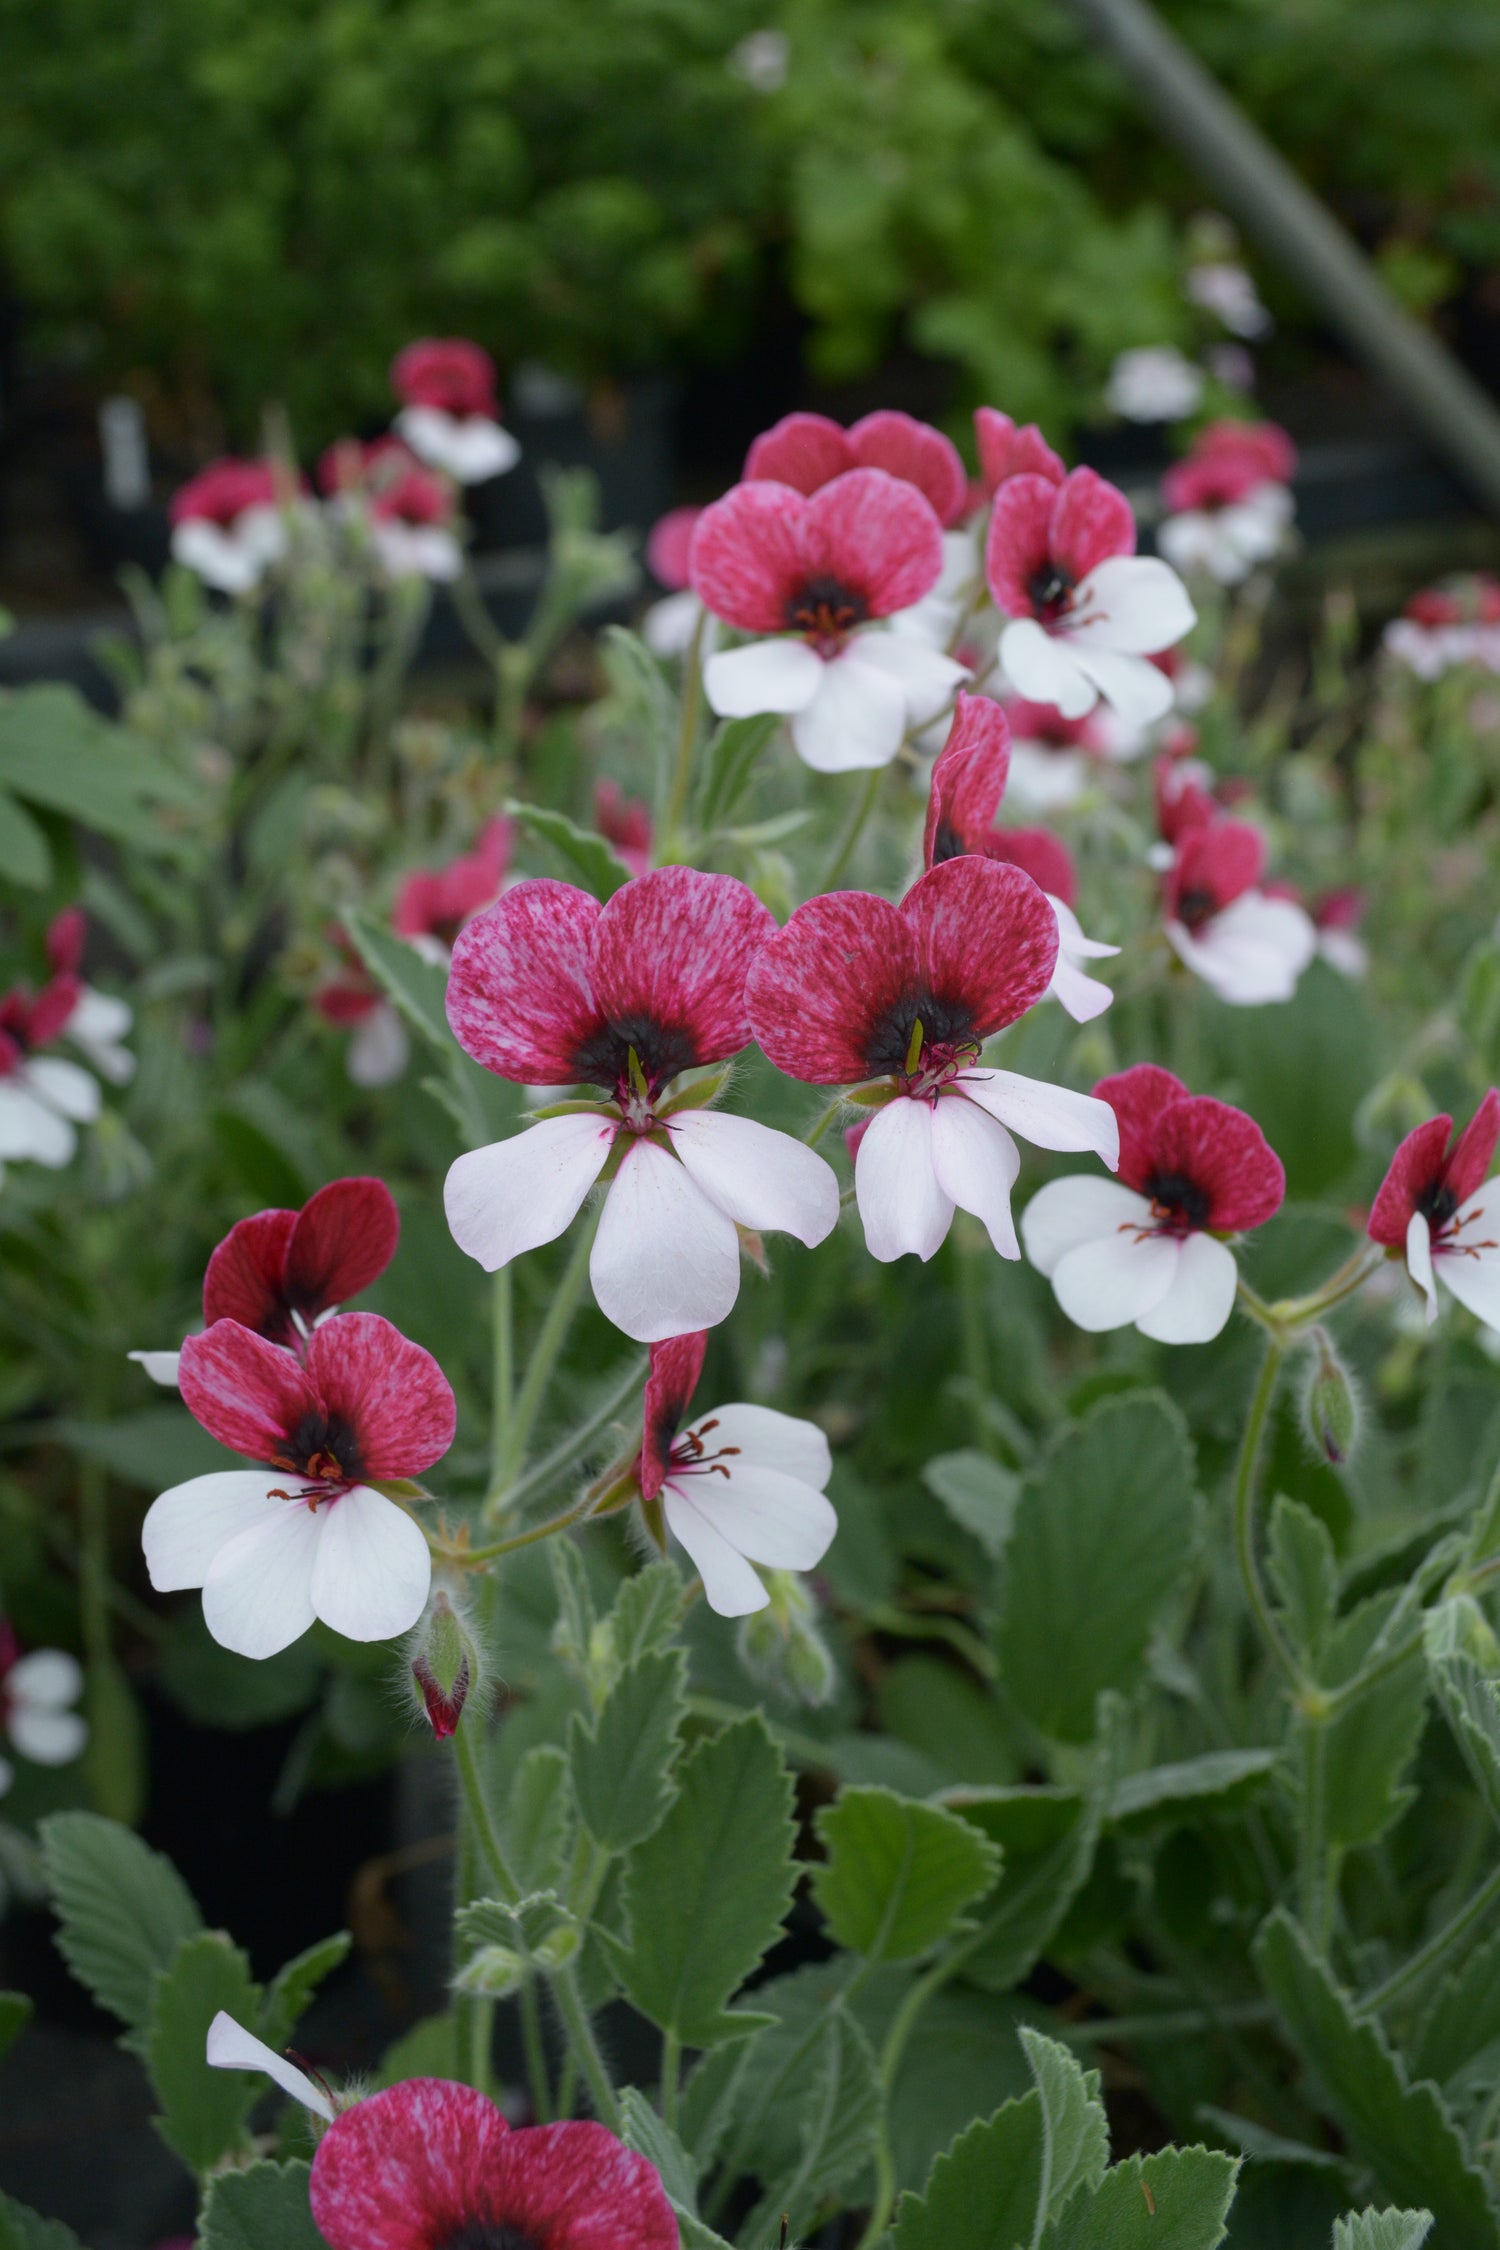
[[123, 1911]]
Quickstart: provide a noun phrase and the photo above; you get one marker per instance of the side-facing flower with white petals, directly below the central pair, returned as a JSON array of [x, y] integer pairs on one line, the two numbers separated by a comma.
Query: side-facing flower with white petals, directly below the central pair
[[739, 1486]]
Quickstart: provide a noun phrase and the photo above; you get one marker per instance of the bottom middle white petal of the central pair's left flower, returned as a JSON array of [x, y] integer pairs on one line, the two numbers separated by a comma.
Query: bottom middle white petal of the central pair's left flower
[[667, 1261]]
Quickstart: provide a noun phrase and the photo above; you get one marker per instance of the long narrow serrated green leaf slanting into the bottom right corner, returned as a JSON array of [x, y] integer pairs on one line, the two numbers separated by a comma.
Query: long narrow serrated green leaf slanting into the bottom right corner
[[1402, 2132]]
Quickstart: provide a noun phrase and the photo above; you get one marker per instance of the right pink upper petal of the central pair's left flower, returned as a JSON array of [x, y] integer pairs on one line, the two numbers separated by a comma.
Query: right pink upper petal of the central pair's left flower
[[674, 951]]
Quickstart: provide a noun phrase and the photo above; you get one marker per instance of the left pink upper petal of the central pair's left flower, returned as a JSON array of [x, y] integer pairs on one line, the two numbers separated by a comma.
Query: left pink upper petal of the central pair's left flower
[[521, 993]]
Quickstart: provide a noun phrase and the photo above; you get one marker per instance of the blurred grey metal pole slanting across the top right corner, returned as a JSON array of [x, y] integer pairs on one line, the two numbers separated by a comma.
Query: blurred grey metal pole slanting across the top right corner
[[1272, 204]]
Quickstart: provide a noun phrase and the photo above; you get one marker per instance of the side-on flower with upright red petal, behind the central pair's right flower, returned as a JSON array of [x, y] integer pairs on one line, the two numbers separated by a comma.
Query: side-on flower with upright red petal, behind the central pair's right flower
[[966, 795]]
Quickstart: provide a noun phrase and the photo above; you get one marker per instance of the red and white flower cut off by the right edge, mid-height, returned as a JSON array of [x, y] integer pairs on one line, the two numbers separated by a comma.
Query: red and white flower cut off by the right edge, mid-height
[[1438, 1209]]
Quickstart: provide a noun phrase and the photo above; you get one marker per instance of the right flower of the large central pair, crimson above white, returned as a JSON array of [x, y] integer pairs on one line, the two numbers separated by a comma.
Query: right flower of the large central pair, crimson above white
[[860, 991]]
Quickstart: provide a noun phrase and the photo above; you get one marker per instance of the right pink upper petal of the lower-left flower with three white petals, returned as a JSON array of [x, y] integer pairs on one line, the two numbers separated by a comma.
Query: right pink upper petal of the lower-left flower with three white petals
[[388, 1389]]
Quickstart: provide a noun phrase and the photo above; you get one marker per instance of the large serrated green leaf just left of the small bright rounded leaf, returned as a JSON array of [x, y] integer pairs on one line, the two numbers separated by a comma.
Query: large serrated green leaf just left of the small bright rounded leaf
[[723, 1857]]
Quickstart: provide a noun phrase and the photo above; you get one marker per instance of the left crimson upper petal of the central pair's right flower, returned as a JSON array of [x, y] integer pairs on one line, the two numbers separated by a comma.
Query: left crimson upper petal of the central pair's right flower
[[826, 989]]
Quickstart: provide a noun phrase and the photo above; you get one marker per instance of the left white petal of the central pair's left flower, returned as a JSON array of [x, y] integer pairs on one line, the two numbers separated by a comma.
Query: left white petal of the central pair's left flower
[[518, 1194]]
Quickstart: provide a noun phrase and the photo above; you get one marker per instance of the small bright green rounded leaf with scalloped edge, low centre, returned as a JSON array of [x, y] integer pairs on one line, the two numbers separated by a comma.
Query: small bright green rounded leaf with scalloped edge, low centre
[[898, 1873]]
